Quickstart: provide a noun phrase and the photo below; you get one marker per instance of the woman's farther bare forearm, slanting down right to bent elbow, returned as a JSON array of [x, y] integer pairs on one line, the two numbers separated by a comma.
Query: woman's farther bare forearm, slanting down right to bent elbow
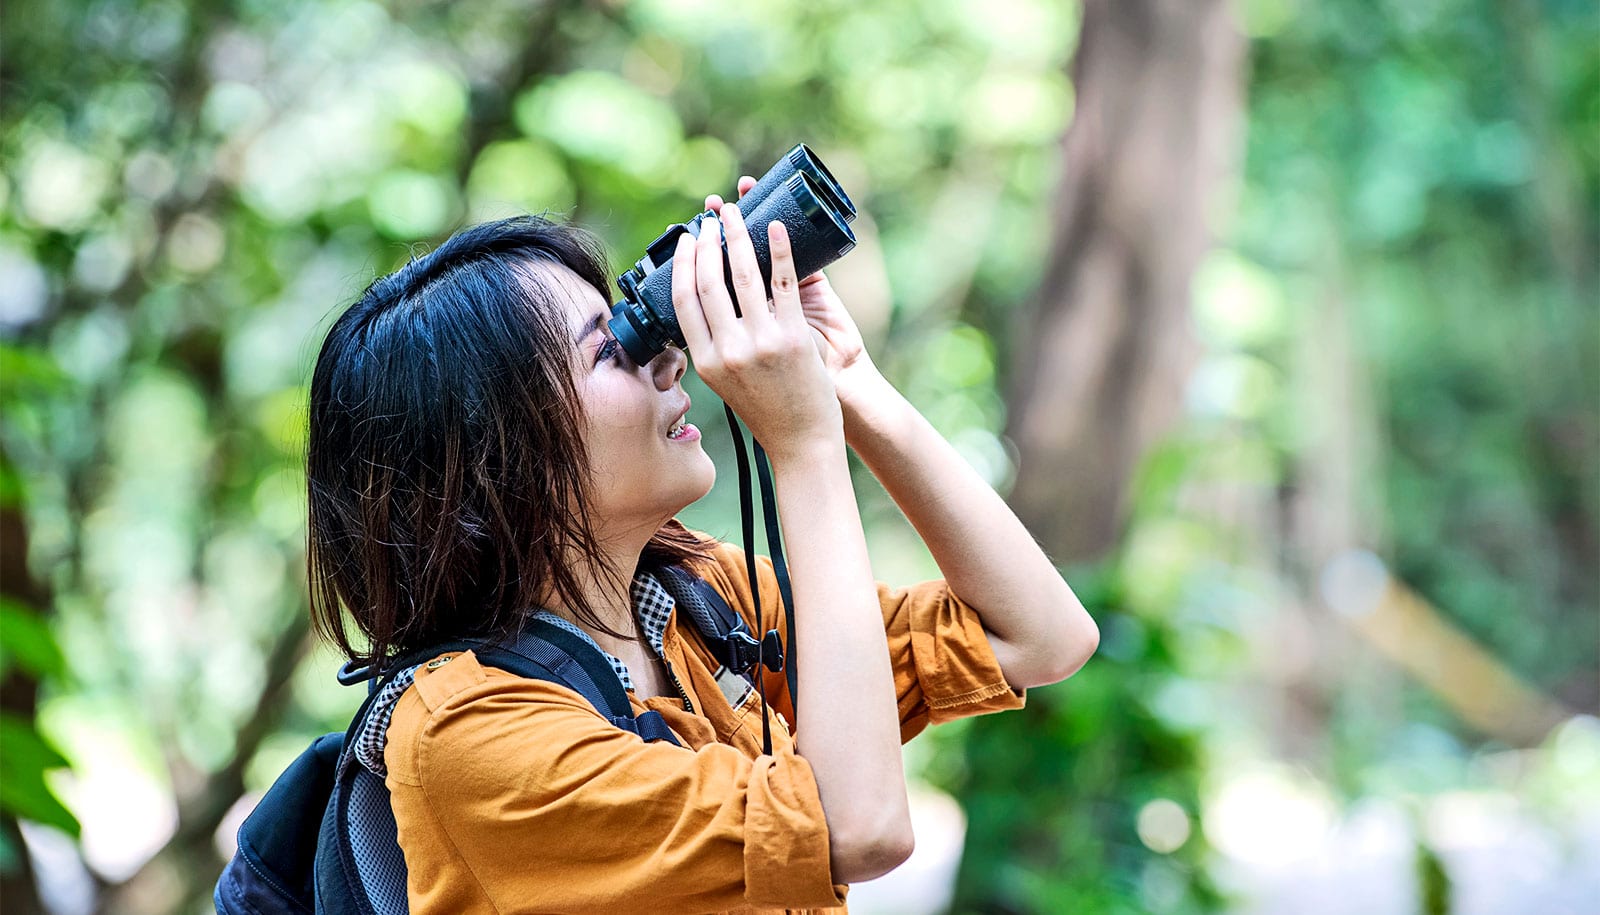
[[1038, 626]]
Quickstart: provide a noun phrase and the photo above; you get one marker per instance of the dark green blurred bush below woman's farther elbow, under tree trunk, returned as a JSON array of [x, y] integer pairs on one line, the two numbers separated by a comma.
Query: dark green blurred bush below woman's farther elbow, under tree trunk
[[1066, 797]]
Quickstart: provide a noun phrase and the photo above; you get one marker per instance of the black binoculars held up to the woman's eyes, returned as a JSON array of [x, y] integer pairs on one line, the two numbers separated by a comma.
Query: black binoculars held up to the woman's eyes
[[799, 191]]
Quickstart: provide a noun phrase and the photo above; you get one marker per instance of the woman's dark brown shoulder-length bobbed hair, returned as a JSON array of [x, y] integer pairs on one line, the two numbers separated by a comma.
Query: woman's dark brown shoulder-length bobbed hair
[[446, 465]]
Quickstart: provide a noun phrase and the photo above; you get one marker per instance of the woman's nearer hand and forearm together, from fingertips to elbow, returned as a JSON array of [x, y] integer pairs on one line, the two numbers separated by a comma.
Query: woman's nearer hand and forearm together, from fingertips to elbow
[[767, 367]]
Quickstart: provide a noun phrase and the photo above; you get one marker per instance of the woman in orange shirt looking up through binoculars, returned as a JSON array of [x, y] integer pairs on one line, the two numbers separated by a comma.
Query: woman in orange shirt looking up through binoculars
[[482, 452]]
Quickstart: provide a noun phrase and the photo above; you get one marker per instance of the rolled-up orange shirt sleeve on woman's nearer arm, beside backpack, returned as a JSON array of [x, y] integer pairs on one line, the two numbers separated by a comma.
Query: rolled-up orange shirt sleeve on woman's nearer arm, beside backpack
[[551, 809]]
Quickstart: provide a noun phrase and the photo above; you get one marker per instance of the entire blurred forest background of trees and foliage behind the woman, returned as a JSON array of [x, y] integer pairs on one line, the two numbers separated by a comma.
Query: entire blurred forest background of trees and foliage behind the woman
[[1278, 321]]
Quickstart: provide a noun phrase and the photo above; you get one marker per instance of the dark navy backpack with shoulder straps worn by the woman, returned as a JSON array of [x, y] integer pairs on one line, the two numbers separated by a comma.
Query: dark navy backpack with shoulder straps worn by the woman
[[324, 837]]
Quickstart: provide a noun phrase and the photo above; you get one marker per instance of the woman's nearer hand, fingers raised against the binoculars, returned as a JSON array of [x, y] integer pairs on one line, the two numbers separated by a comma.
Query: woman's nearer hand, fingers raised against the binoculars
[[762, 362]]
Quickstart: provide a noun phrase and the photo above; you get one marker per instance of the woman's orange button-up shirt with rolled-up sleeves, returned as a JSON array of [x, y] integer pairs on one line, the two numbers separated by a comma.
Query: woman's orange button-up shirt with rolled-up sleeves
[[516, 796]]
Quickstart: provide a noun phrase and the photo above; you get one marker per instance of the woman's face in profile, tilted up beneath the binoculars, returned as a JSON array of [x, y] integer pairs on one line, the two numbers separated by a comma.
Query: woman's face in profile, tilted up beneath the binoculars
[[647, 463]]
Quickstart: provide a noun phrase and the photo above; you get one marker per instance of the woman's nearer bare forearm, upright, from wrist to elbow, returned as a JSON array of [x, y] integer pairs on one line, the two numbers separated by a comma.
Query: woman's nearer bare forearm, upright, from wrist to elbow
[[847, 722]]
